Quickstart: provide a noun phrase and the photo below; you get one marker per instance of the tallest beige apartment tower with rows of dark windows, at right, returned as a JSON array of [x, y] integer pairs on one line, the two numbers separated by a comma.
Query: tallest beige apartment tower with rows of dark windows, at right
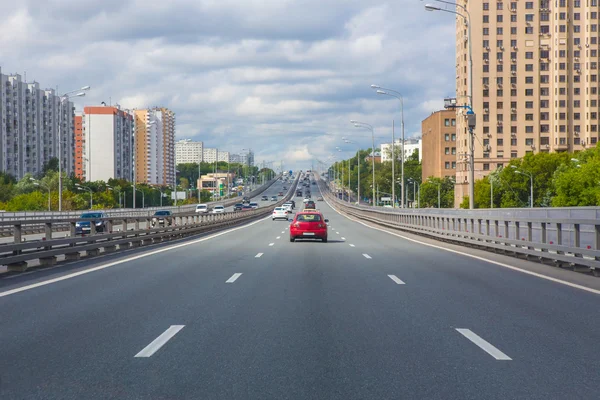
[[535, 80]]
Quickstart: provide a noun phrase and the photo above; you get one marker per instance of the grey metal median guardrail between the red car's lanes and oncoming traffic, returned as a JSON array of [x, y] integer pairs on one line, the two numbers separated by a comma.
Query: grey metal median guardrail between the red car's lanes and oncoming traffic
[[17, 254]]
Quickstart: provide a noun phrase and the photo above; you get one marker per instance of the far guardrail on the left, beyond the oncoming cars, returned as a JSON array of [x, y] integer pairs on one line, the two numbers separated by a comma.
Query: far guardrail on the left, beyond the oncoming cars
[[7, 222]]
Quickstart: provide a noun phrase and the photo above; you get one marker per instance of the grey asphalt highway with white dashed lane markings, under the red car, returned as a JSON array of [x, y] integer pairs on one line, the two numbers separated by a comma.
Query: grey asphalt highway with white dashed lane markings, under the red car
[[245, 314]]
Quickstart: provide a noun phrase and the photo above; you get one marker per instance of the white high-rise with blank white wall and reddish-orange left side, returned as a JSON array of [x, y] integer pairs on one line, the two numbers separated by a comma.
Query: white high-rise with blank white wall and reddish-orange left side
[[107, 144]]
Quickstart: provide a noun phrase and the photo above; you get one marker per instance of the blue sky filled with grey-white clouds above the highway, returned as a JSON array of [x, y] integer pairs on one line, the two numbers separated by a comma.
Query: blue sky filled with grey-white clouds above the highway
[[283, 77]]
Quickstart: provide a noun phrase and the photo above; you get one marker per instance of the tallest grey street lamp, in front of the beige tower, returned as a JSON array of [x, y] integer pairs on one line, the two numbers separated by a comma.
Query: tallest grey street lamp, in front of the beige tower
[[467, 17]]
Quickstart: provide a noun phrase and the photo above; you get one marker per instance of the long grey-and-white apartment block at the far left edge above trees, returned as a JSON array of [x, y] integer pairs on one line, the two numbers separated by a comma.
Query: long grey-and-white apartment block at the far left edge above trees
[[31, 122]]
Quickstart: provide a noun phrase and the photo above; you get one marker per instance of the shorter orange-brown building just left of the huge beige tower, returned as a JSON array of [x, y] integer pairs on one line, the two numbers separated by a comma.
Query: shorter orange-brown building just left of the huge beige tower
[[438, 132]]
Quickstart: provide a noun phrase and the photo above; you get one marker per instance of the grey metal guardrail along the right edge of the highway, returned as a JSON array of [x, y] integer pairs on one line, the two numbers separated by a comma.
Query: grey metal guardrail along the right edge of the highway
[[505, 232]]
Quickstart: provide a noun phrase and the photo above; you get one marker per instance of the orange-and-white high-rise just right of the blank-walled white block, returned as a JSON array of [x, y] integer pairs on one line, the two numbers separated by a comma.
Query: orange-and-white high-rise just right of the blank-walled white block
[[154, 146]]
